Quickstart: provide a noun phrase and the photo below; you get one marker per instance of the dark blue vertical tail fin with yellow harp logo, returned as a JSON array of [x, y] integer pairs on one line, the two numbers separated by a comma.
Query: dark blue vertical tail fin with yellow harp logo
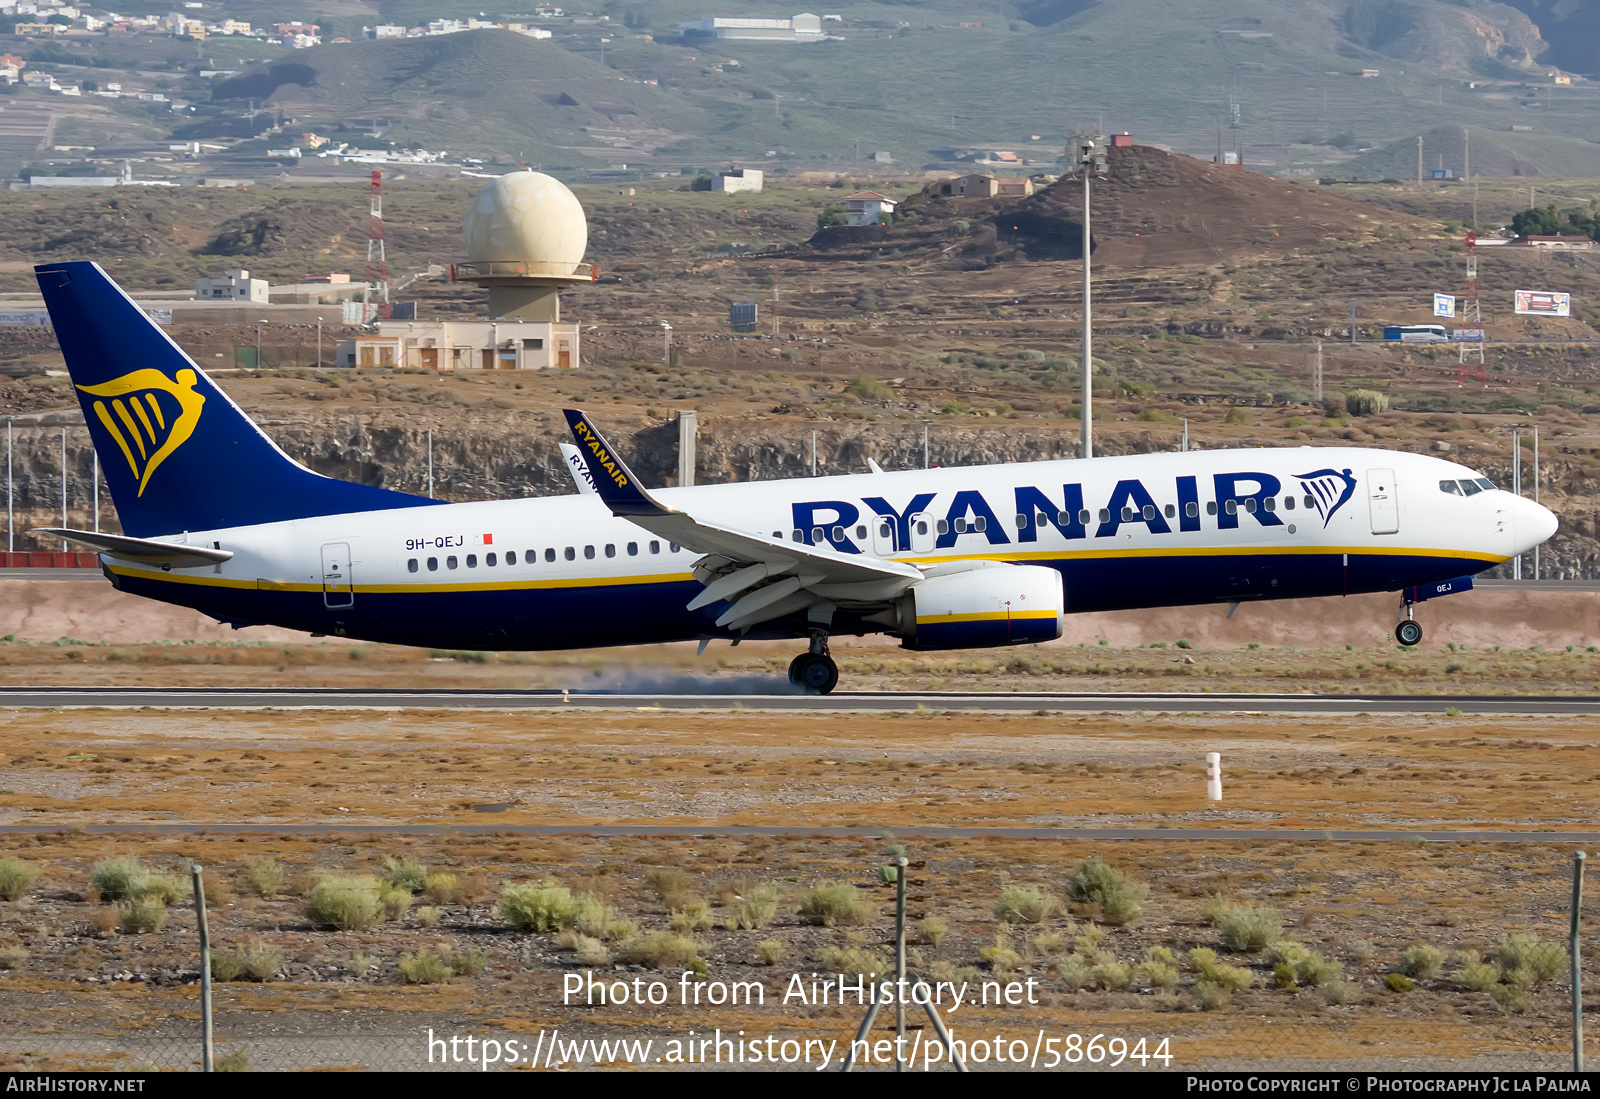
[[178, 454]]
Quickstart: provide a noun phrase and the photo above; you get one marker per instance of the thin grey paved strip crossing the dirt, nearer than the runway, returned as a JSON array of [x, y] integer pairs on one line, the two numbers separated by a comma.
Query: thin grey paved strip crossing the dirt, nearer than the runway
[[799, 831]]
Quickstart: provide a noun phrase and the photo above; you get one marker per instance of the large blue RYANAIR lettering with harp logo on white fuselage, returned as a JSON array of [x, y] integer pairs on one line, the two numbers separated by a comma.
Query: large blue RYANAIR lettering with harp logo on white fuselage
[[1130, 503]]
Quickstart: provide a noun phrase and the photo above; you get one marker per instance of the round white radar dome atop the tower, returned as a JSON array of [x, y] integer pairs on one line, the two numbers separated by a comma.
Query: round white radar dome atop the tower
[[529, 218]]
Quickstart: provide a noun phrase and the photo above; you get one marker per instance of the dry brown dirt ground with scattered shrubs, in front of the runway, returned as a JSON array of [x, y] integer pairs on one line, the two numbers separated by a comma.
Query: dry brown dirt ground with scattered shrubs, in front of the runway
[[342, 997]]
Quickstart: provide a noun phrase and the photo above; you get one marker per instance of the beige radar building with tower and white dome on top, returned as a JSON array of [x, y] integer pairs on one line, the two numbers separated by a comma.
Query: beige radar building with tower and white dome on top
[[526, 241]]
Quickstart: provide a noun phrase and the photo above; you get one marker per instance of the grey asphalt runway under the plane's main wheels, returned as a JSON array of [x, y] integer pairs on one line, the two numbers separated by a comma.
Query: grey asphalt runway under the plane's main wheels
[[838, 703]]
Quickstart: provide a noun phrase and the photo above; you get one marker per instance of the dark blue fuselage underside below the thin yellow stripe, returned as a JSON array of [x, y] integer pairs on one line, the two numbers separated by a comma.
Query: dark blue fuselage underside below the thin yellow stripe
[[591, 617]]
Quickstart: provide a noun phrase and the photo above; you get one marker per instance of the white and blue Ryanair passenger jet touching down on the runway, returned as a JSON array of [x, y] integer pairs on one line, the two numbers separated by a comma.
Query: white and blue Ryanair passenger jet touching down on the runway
[[218, 519]]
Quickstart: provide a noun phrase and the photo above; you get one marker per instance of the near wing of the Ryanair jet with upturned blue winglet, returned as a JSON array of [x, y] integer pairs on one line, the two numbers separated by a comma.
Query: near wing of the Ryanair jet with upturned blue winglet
[[762, 577]]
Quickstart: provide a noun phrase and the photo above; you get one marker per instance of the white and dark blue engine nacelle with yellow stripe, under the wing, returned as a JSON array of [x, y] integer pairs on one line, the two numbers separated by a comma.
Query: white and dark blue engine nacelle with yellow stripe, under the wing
[[982, 609]]
